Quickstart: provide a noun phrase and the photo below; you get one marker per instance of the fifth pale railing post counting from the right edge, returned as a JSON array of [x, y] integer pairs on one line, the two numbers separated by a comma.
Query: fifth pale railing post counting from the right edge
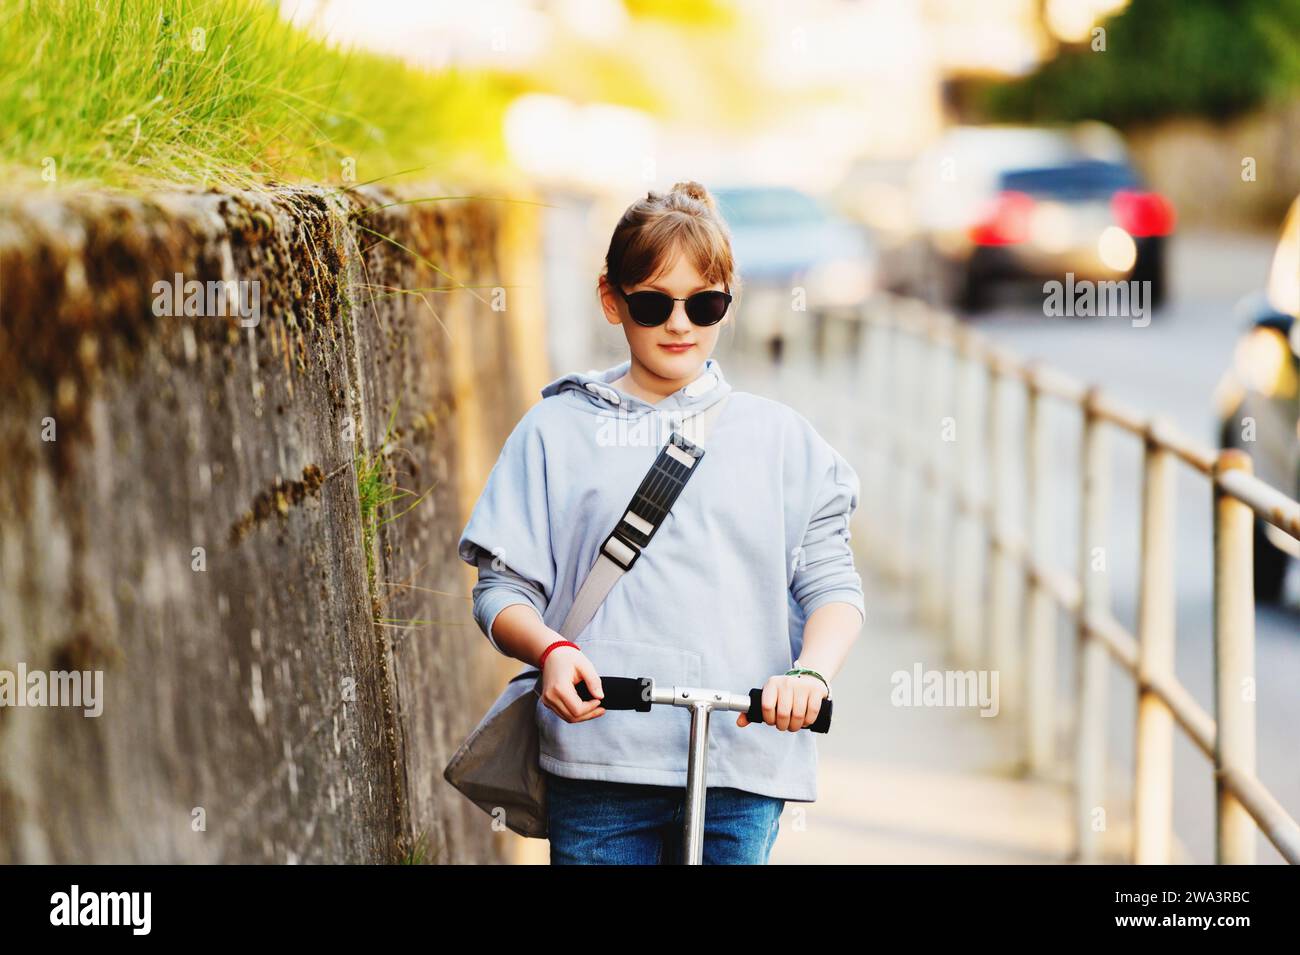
[[1003, 633]]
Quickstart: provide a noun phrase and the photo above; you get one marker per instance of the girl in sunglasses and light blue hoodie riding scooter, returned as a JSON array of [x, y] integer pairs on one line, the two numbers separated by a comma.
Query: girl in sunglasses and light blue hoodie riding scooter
[[749, 580]]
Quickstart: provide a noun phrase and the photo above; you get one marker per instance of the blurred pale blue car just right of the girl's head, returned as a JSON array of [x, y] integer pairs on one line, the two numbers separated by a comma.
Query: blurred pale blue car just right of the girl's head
[[798, 262]]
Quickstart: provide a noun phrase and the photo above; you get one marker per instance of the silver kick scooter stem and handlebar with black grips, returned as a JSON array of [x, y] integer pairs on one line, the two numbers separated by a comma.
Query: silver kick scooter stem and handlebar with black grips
[[640, 693]]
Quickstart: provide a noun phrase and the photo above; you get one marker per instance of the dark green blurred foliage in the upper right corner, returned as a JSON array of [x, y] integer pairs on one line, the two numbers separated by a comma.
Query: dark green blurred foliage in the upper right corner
[[1165, 58]]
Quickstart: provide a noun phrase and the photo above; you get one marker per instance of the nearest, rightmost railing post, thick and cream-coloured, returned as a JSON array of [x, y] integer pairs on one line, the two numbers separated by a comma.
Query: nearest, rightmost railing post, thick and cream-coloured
[[1234, 662]]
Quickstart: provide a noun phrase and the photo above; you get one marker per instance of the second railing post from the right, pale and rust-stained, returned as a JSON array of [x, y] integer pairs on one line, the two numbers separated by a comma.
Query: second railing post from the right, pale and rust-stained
[[1154, 783]]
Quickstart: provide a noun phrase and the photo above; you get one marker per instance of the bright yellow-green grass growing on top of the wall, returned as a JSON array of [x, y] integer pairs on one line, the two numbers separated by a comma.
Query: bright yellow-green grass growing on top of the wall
[[132, 93]]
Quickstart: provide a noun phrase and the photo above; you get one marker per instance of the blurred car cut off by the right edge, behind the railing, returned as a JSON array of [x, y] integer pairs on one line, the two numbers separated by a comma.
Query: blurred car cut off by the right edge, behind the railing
[[1259, 400]]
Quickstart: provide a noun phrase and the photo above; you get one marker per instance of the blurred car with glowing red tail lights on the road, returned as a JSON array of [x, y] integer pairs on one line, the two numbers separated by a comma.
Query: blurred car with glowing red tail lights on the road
[[998, 203]]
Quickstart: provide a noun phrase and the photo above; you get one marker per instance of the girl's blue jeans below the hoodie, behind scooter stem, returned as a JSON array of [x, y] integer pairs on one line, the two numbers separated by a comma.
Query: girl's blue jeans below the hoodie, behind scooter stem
[[601, 823]]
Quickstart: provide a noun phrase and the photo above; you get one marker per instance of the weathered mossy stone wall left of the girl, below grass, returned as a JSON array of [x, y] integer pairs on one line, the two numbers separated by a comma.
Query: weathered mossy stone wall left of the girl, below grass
[[188, 507]]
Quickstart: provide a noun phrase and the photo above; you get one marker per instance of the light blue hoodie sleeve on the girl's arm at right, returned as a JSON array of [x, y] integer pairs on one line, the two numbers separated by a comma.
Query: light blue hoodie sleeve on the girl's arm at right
[[824, 567]]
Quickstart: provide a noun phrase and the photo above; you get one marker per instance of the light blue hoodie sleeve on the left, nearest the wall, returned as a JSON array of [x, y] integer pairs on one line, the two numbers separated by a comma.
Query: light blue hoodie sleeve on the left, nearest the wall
[[509, 535]]
